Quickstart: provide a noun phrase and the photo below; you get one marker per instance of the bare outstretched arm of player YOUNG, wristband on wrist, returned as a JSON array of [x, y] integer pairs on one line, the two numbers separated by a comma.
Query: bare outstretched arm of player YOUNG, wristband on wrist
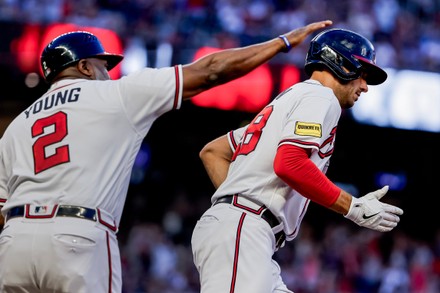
[[221, 67]]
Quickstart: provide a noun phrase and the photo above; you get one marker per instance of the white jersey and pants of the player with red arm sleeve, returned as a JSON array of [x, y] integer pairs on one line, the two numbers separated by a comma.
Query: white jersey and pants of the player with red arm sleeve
[[253, 210]]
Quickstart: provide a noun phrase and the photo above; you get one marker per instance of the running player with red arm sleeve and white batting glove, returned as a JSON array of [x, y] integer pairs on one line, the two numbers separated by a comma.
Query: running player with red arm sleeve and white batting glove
[[267, 172]]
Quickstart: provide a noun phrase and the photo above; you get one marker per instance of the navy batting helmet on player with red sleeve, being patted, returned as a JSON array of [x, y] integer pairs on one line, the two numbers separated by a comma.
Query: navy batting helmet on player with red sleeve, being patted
[[346, 54]]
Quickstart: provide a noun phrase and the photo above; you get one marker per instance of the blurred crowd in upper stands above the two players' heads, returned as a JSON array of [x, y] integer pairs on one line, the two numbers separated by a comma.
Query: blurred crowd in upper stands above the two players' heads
[[406, 32]]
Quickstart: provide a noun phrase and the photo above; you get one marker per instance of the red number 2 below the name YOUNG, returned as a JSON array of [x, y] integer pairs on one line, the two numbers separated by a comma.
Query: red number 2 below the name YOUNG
[[61, 155]]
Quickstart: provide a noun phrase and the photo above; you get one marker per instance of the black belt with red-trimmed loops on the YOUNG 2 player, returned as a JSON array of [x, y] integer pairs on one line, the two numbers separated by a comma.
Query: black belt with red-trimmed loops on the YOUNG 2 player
[[62, 211]]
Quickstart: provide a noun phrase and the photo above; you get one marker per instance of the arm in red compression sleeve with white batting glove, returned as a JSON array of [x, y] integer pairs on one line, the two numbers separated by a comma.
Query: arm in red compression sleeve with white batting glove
[[293, 166]]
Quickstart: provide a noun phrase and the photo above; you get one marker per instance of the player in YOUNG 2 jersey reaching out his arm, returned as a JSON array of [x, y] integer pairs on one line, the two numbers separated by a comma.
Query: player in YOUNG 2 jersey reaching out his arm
[[66, 160]]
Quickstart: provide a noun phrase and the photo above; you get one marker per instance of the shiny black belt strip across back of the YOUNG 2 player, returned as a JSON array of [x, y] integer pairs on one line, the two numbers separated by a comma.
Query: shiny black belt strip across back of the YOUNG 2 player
[[62, 211]]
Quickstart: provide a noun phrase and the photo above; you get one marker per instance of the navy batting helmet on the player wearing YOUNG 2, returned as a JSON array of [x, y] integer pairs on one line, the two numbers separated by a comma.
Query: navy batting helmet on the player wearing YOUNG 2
[[67, 49]]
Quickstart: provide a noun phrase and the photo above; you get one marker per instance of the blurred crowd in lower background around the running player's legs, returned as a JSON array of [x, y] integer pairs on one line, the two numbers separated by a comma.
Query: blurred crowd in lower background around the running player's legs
[[343, 260]]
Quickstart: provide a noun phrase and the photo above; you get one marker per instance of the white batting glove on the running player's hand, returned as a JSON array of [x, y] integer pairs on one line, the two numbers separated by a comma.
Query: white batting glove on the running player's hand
[[367, 211]]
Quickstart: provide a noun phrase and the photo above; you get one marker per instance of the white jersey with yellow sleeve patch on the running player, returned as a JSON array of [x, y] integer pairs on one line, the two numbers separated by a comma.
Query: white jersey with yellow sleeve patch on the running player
[[305, 115]]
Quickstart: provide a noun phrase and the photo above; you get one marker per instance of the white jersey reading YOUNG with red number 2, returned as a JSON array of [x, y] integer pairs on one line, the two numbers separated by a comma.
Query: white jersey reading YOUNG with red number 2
[[76, 145]]
